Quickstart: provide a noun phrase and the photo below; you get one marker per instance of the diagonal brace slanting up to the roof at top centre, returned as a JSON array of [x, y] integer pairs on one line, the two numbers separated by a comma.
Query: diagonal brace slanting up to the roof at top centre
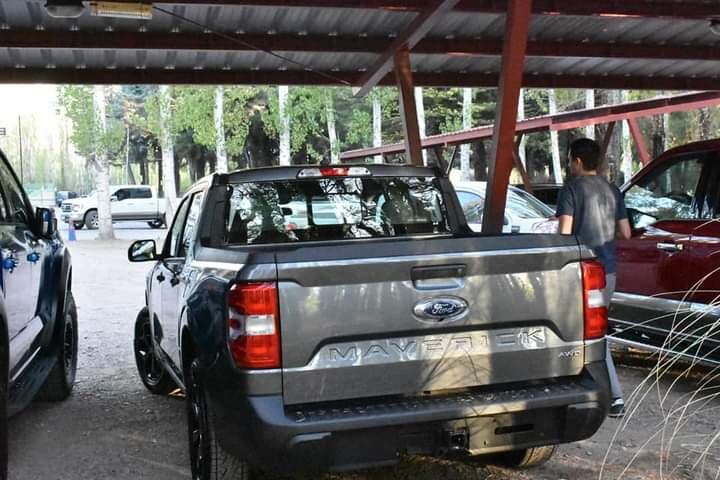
[[413, 33]]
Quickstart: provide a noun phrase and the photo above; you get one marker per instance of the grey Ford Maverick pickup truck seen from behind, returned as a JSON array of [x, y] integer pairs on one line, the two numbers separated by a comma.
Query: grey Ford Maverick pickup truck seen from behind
[[395, 328]]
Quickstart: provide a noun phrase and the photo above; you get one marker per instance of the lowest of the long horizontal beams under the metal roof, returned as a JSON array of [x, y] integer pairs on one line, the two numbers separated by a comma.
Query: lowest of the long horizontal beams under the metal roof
[[155, 76]]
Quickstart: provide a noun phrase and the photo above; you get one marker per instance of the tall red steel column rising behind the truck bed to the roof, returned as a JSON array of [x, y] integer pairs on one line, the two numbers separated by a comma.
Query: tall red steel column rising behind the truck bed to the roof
[[516, 28]]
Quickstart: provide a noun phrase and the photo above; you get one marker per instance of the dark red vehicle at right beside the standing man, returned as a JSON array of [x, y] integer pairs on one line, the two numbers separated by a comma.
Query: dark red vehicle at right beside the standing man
[[668, 280]]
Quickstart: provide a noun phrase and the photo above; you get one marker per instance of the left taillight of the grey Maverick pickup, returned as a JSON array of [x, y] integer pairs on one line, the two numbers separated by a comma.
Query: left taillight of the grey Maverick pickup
[[254, 325]]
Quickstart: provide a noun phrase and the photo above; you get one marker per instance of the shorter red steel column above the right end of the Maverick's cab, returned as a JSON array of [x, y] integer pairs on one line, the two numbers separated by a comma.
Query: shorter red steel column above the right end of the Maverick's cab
[[408, 109]]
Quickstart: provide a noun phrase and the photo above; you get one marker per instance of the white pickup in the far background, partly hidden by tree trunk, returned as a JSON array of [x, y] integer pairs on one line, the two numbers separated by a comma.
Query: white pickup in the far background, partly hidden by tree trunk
[[128, 203]]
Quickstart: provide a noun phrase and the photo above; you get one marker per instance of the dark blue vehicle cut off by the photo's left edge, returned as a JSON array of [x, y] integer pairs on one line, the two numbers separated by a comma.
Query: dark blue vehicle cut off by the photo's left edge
[[38, 319]]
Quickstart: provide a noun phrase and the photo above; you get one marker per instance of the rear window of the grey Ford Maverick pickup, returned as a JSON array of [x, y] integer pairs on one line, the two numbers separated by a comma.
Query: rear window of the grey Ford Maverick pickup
[[334, 209]]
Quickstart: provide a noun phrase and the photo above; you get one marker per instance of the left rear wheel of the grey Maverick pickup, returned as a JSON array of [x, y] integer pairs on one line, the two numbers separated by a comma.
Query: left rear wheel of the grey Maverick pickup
[[208, 460]]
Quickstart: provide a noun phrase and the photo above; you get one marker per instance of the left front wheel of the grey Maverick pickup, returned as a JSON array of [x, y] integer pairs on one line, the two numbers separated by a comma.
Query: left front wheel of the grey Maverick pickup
[[152, 373]]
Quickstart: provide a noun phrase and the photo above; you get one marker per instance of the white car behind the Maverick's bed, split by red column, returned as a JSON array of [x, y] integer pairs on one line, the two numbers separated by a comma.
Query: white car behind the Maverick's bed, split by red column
[[523, 212]]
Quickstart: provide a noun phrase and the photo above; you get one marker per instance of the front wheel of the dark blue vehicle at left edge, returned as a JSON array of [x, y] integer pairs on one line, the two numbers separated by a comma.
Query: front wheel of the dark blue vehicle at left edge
[[61, 380]]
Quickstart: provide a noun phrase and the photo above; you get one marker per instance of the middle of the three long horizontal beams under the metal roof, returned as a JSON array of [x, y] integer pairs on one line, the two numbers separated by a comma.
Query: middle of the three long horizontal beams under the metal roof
[[117, 40]]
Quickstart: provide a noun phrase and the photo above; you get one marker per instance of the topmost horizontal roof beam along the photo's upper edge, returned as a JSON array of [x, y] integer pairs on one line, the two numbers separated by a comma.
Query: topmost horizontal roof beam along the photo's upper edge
[[688, 9]]
